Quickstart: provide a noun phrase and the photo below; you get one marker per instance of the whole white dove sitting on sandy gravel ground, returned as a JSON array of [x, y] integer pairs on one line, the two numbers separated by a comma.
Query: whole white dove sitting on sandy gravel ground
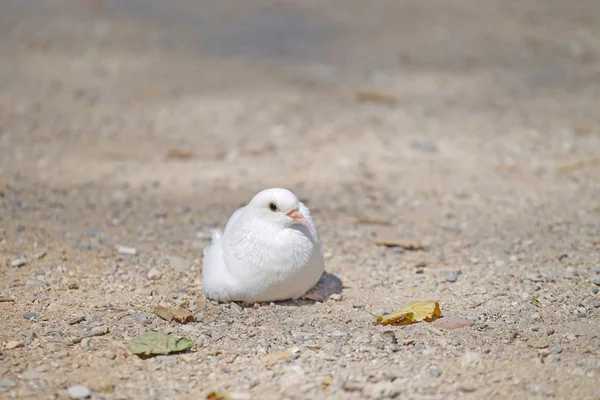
[[270, 250]]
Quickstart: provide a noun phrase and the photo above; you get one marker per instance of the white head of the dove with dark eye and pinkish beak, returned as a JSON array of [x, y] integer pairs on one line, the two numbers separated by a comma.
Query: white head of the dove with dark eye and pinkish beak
[[278, 206]]
